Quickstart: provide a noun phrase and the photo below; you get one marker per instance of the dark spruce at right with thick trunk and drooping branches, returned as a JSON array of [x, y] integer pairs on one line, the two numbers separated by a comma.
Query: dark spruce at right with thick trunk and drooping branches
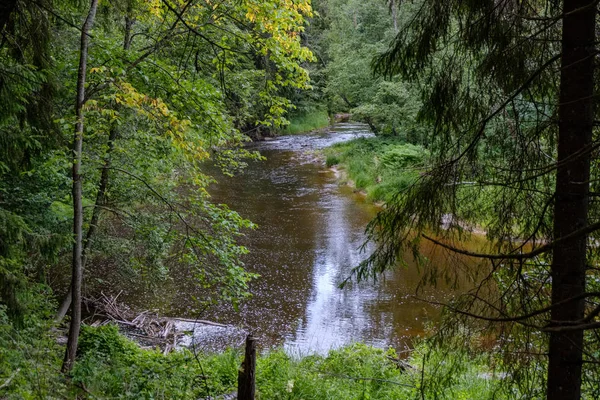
[[509, 89]]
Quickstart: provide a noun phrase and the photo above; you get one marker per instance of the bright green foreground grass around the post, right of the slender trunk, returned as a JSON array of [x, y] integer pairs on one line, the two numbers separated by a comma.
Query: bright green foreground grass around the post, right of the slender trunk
[[112, 366]]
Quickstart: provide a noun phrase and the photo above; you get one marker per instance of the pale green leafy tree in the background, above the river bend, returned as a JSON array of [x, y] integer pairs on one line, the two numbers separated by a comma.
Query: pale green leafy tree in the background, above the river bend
[[353, 33]]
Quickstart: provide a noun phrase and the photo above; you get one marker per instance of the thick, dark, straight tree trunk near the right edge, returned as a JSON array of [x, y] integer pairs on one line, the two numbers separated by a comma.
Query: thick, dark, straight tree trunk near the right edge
[[576, 114]]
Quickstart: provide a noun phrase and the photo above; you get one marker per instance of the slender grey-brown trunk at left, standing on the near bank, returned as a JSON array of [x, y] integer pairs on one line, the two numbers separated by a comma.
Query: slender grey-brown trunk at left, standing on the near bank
[[71, 350]]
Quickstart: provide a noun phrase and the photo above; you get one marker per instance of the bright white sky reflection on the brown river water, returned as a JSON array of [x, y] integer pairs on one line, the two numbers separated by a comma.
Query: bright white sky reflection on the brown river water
[[335, 316]]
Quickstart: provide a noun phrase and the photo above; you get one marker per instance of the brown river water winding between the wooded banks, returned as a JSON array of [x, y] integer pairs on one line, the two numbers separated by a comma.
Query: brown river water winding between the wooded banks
[[310, 230]]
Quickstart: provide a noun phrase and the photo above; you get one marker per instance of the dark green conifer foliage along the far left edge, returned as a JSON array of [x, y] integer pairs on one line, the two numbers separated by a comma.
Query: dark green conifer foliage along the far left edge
[[31, 235]]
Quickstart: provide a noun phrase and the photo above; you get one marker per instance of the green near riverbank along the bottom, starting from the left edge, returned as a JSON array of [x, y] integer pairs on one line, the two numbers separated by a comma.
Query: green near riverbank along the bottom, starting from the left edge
[[111, 366]]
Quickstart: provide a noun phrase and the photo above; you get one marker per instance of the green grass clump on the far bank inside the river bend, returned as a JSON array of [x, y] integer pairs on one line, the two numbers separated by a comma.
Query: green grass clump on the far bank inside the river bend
[[380, 166]]
